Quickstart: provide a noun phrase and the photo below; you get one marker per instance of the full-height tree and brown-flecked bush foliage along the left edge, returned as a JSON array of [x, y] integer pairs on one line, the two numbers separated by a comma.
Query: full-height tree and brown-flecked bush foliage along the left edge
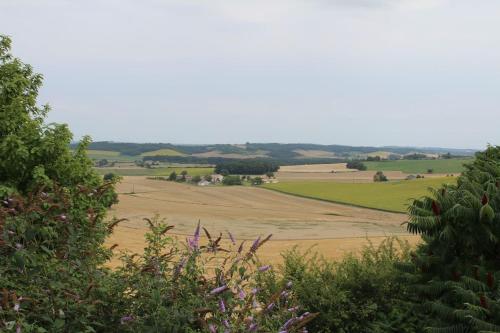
[[52, 210]]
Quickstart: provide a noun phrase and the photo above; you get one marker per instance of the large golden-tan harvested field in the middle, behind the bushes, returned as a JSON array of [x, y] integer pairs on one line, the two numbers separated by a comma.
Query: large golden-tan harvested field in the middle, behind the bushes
[[249, 212]]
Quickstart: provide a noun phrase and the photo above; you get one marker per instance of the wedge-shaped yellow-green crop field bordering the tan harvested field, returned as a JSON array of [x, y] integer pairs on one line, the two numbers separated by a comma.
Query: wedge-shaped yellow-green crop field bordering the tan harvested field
[[390, 196]]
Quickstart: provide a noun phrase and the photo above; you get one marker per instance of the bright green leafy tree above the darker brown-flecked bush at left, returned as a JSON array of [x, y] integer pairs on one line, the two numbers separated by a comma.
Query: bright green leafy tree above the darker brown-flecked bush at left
[[32, 153]]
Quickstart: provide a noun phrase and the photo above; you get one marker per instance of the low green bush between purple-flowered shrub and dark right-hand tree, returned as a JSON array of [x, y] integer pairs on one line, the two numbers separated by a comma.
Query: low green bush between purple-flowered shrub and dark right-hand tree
[[357, 294]]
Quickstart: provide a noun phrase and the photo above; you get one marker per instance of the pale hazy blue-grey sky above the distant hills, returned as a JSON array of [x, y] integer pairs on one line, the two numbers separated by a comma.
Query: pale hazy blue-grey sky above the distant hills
[[354, 72]]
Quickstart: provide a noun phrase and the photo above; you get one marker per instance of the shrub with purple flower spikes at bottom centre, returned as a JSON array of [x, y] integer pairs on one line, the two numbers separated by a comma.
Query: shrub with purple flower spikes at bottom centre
[[195, 286]]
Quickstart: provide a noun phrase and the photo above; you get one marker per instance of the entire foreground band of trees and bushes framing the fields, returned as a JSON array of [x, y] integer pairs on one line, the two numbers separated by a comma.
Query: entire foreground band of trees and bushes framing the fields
[[52, 254]]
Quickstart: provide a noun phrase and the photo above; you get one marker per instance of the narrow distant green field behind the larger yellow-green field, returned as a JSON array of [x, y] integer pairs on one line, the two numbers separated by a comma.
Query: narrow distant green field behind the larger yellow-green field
[[419, 166]]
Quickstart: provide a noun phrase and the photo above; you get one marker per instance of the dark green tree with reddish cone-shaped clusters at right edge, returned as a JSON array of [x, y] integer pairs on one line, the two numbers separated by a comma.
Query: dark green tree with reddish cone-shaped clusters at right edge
[[456, 271]]
